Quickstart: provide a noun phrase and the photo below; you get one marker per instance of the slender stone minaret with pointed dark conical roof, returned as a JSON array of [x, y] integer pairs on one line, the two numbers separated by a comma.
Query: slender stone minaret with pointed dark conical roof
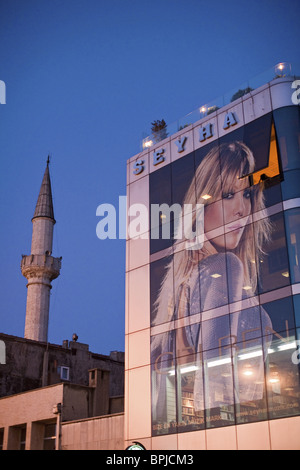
[[40, 268]]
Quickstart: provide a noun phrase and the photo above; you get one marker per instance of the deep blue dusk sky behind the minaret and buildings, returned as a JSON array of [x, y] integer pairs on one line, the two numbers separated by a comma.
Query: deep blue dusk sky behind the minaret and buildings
[[84, 80]]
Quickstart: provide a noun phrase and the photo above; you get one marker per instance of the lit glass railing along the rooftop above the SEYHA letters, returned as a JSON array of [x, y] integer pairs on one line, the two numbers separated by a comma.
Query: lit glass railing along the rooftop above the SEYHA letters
[[283, 69]]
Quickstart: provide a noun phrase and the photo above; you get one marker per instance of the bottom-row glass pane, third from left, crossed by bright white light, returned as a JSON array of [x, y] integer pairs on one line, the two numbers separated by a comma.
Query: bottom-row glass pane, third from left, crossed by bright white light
[[218, 387]]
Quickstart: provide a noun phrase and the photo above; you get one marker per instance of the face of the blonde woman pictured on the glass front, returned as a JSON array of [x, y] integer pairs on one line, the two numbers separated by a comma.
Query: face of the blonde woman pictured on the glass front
[[233, 212]]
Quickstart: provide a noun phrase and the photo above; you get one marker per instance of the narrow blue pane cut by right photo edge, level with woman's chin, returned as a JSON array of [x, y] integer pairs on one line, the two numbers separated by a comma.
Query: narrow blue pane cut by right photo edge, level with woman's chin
[[292, 219]]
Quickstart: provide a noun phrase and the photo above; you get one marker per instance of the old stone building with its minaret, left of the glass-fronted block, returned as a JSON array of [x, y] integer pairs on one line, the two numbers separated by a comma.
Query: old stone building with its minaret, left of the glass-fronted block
[[49, 391]]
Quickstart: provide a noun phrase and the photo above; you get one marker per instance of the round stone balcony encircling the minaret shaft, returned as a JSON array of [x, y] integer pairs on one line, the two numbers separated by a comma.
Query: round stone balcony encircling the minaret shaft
[[40, 265]]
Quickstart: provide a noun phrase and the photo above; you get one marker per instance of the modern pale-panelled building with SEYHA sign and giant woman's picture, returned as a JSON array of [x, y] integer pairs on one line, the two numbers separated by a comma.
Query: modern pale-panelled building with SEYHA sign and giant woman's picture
[[213, 279]]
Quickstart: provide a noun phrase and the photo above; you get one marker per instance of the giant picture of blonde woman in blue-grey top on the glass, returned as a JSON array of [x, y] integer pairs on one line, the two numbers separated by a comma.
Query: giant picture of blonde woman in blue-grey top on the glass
[[208, 358]]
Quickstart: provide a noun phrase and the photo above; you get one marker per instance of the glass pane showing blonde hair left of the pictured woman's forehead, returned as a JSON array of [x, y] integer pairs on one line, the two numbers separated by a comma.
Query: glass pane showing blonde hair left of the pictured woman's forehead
[[207, 176]]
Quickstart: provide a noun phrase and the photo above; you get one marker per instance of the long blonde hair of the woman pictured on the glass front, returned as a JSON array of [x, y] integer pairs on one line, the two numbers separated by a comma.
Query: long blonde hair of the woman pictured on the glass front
[[215, 175]]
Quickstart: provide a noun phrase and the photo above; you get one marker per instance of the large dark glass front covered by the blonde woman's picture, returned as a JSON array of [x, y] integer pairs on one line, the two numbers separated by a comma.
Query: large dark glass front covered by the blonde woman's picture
[[223, 326]]
